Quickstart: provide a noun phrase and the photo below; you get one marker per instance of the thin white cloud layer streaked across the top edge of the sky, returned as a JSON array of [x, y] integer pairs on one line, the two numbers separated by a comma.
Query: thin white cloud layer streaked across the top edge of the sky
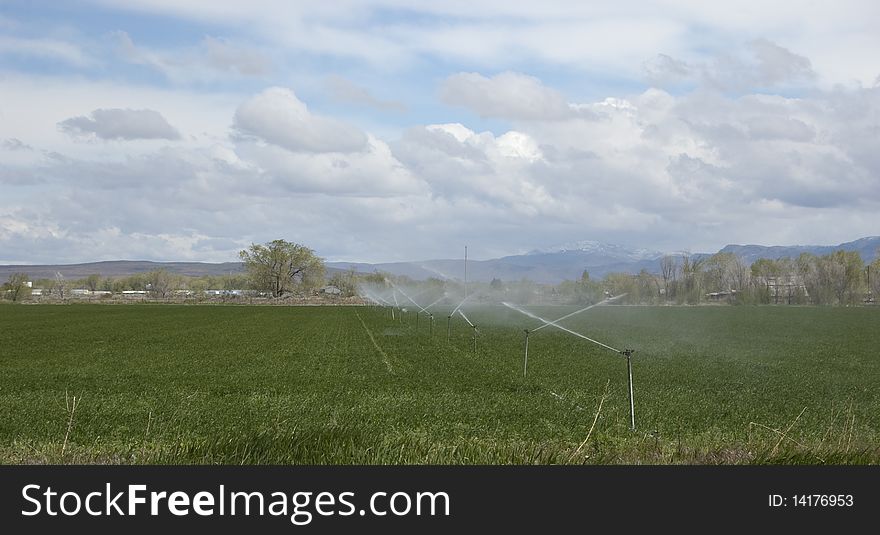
[[599, 38]]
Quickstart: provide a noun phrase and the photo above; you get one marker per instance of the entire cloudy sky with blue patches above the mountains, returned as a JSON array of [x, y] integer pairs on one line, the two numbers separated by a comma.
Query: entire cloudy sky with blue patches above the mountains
[[395, 130]]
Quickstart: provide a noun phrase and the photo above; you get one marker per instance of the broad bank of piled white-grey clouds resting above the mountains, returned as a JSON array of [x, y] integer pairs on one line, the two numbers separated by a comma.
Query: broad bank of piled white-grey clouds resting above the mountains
[[686, 169]]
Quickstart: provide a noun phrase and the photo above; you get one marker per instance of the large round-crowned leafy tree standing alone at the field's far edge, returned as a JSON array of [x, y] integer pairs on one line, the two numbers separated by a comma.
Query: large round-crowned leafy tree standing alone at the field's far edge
[[280, 266]]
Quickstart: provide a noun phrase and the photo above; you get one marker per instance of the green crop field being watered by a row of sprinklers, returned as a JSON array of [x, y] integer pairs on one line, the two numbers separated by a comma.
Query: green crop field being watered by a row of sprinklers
[[340, 385]]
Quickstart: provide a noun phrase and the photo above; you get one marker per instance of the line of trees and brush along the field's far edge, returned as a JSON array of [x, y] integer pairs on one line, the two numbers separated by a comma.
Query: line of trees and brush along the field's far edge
[[280, 268]]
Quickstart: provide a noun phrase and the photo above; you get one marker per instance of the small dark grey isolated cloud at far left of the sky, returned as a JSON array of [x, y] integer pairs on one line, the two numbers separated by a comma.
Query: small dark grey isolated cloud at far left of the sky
[[120, 124]]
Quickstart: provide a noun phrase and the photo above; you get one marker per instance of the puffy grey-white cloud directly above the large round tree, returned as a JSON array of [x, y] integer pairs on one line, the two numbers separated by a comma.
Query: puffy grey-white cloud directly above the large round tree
[[278, 117]]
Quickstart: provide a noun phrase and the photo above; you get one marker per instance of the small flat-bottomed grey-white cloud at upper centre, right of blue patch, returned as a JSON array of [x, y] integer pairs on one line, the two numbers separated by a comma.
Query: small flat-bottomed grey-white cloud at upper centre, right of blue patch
[[507, 95]]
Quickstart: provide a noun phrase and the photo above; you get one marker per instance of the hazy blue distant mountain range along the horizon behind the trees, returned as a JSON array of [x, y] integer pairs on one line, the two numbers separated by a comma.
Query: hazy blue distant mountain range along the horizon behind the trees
[[551, 265]]
